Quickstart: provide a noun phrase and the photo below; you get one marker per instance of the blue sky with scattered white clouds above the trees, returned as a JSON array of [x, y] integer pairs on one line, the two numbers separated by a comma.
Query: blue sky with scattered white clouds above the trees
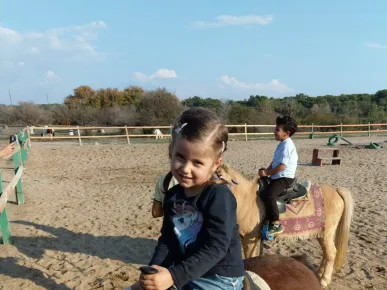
[[219, 48]]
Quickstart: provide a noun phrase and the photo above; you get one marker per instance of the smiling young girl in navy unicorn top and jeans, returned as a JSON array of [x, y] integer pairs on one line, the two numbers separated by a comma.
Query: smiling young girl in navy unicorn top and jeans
[[199, 246]]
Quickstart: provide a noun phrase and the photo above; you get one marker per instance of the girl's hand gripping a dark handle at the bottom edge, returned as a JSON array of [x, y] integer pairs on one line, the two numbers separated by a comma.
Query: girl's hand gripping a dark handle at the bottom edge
[[159, 281]]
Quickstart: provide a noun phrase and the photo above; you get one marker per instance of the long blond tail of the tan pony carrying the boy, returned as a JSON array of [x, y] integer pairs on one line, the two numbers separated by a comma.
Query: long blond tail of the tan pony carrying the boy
[[342, 232]]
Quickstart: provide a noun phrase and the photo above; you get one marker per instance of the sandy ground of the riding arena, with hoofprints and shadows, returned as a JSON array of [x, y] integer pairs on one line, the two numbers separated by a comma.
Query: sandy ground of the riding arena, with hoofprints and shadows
[[86, 223]]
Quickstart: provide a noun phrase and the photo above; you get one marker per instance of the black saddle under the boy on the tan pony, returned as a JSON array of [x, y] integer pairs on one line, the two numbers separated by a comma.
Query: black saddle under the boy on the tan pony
[[295, 191]]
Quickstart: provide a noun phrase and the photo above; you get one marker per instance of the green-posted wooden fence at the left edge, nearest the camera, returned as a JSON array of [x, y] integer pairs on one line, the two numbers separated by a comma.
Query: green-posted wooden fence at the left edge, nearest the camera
[[19, 157]]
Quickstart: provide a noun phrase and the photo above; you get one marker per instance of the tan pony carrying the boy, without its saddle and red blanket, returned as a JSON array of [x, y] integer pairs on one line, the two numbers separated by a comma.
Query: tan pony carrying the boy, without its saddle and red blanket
[[338, 210]]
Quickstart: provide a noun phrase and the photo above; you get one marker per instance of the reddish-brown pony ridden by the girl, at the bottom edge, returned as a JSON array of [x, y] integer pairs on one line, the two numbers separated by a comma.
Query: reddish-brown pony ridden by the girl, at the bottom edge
[[275, 272]]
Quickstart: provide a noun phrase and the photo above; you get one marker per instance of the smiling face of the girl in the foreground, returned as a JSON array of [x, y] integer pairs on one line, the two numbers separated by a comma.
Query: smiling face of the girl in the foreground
[[193, 163]]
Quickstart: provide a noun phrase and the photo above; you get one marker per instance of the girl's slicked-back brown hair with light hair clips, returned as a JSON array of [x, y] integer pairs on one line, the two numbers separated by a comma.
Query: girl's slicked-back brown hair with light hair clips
[[200, 124]]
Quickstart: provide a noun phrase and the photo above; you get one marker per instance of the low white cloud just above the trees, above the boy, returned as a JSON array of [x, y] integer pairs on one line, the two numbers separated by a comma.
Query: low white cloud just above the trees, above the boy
[[272, 86]]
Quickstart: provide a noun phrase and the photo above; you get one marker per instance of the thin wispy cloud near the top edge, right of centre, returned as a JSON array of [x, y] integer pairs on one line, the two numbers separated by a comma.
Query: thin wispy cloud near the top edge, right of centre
[[230, 20]]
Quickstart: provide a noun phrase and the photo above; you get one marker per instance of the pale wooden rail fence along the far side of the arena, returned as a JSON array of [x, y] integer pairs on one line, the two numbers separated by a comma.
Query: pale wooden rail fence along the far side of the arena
[[309, 130]]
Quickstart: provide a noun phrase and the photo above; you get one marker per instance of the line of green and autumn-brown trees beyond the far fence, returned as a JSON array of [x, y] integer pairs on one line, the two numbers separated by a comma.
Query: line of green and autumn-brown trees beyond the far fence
[[135, 106]]
